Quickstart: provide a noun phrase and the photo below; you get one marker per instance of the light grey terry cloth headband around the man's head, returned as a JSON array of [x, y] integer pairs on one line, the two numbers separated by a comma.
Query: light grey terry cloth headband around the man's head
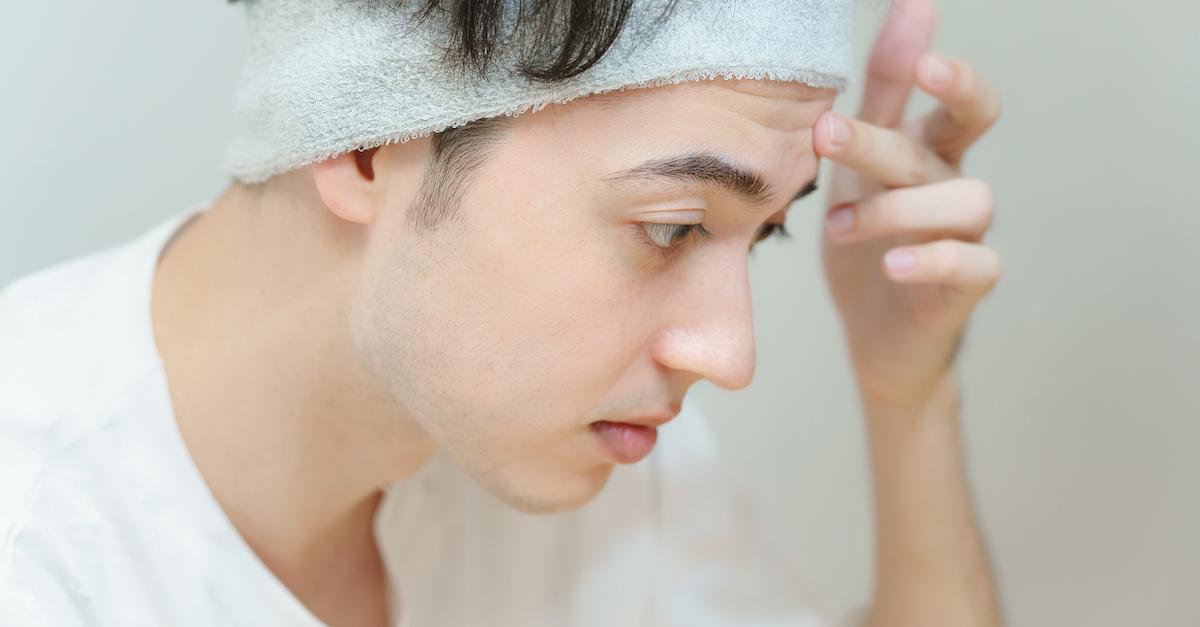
[[325, 77]]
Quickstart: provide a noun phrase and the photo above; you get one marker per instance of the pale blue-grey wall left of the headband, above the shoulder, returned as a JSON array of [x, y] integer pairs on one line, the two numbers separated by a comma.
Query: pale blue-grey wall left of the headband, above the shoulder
[[115, 114]]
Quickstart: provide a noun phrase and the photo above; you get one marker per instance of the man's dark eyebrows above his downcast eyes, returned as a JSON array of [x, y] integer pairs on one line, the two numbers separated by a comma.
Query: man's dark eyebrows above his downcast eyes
[[707, 169]]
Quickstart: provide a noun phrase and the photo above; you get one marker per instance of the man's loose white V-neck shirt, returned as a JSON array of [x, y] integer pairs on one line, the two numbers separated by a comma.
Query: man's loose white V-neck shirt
[[106, 521]]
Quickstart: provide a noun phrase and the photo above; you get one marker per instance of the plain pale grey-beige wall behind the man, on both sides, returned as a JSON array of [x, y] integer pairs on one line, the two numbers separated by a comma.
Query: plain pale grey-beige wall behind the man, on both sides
[[1081, 369]]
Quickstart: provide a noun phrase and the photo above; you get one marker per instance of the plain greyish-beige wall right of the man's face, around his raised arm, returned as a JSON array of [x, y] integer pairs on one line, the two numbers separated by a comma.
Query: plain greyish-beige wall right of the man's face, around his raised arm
[[1081, 371]]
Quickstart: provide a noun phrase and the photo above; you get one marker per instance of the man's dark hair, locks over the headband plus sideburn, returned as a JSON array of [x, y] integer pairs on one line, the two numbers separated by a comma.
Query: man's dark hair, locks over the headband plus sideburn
[[560, 40]]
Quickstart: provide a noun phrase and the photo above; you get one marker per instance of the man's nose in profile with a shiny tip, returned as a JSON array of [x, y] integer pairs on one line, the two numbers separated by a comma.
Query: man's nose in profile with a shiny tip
[[711, 327]]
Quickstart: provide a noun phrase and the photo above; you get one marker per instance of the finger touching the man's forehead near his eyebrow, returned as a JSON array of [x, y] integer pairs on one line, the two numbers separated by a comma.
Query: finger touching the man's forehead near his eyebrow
[[883, 154]]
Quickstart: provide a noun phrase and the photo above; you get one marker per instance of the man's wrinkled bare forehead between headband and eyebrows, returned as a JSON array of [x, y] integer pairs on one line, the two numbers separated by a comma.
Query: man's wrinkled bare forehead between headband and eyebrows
[[765, 126]]
